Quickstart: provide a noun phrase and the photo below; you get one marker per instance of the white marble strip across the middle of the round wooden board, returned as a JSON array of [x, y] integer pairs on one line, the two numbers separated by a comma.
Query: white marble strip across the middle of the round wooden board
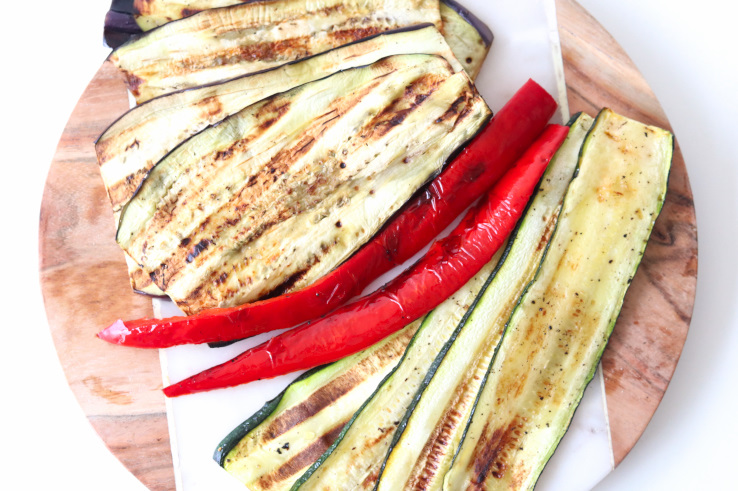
[[526, 46]]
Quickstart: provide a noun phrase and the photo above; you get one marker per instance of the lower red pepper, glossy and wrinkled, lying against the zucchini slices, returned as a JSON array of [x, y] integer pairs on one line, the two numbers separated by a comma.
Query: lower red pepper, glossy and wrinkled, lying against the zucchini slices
[[446, 267]]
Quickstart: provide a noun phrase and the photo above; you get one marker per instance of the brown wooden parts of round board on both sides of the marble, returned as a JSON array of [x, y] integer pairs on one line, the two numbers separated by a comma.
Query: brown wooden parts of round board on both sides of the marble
[[85, 284]]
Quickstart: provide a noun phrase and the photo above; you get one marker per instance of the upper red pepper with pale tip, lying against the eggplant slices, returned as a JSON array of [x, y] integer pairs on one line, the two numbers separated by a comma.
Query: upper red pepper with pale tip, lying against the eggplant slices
[[469, 175]]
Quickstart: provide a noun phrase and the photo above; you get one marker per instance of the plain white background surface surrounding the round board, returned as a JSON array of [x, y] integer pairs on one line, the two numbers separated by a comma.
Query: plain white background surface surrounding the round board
[[686, 51]]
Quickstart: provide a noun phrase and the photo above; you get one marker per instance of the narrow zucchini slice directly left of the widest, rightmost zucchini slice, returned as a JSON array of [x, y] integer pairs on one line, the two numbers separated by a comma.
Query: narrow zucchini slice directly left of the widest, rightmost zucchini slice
[[429, 434]]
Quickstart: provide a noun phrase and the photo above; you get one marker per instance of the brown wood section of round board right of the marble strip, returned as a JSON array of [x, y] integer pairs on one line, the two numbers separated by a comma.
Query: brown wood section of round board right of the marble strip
[[647, 341]]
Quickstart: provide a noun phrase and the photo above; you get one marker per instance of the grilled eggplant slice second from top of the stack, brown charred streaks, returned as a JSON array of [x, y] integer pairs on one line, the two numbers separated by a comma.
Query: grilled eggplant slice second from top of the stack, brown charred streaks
[[219, 44]]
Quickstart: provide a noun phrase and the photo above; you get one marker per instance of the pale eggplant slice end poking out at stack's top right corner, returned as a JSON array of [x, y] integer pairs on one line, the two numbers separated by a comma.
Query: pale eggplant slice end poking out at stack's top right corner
[[469, 38]]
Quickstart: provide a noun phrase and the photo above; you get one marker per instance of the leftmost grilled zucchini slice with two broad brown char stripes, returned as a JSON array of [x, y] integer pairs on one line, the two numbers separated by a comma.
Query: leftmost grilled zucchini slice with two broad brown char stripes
[[272, 448]]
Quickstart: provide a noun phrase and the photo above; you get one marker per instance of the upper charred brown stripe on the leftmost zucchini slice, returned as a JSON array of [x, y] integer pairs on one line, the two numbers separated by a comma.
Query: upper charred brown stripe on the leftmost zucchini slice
[[331, 393]]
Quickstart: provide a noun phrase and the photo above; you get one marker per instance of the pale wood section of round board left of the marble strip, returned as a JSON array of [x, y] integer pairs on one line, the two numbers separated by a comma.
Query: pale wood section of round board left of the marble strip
[[85, 285]]
